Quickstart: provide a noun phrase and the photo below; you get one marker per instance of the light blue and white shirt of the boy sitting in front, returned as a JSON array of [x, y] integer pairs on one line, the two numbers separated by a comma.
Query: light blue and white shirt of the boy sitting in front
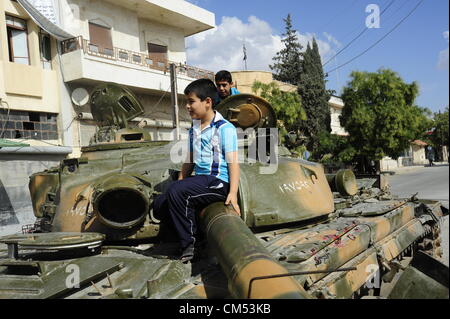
[[210, 145]]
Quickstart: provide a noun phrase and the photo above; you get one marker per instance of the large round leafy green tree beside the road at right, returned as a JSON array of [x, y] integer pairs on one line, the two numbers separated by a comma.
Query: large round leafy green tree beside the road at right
[[380, 114]]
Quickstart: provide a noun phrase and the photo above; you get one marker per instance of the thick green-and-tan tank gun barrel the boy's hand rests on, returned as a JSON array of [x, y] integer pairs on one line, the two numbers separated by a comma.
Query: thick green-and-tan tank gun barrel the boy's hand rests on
[[243, 257]]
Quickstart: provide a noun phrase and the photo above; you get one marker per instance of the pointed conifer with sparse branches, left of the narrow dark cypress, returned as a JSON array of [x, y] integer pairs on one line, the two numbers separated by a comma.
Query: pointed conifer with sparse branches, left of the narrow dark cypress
[[287, 66]]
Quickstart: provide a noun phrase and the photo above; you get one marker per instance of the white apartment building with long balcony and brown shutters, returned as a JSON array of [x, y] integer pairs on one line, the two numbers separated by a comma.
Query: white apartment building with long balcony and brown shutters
[[130, 43]]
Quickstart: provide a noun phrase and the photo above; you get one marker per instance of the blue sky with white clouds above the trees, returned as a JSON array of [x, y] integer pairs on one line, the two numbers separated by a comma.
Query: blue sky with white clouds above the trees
[[417, 49]]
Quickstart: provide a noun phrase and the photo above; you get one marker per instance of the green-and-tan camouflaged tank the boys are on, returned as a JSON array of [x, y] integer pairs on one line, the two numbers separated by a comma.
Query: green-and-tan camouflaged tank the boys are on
[[301, 234]]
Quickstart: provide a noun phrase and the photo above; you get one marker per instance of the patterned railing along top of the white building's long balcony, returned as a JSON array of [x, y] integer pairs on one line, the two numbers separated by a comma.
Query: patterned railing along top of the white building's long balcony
[[132, 57]]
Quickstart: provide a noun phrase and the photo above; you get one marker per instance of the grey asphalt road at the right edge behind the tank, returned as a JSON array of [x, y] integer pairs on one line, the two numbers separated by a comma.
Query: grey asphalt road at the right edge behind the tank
[[430, 183]]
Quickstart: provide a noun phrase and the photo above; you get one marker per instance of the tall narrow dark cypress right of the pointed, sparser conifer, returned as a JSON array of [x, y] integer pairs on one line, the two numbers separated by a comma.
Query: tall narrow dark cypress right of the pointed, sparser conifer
[[315, 97]]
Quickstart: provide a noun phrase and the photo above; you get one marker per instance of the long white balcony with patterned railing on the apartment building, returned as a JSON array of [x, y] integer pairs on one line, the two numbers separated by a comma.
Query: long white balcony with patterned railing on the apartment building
[[84, 61]]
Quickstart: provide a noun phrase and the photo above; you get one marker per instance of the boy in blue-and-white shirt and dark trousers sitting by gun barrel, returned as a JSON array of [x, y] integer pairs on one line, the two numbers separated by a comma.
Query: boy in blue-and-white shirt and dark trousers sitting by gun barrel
[[213, 156]]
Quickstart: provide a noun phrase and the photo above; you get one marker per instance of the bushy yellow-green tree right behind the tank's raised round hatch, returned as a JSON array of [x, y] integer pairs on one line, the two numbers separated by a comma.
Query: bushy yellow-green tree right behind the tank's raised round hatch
[[287, 107]]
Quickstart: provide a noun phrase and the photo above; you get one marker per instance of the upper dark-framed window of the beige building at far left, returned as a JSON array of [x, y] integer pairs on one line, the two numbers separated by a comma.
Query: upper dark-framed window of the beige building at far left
[[17, 40]]
